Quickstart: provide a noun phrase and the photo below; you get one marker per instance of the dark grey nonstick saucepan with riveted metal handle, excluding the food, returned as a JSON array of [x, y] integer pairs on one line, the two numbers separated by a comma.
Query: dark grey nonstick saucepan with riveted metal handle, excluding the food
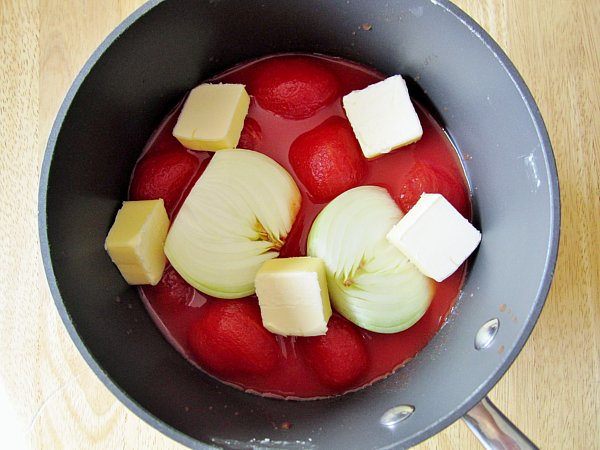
[[167, 47]]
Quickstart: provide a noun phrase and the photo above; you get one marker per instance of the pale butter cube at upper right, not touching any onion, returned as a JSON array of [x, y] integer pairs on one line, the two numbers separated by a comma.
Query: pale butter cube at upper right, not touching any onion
[[382, 116]]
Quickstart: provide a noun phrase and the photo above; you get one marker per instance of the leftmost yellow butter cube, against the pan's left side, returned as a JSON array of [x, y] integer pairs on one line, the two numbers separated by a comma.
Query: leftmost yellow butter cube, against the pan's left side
[[136, 239]]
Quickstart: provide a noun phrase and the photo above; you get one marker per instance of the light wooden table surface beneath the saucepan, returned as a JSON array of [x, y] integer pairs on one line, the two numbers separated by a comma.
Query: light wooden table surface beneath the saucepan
[[55, 401]]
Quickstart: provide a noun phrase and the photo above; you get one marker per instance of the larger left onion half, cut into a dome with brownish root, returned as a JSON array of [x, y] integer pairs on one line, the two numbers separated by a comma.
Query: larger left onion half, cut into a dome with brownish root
[[237, 215]]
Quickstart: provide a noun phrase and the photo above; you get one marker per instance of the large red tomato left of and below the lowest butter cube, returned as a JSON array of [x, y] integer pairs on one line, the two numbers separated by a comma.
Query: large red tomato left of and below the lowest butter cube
[[229, 338]]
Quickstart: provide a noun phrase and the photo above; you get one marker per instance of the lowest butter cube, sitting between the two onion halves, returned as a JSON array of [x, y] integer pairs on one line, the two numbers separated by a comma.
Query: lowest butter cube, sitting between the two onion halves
[[293, 296]]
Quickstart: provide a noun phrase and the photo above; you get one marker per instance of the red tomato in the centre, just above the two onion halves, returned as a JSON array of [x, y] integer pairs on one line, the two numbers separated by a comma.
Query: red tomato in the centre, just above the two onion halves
[[328, 159]]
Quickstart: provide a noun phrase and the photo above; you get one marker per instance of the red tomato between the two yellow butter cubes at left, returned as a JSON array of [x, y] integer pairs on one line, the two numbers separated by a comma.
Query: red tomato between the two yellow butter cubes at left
[[163, 175]]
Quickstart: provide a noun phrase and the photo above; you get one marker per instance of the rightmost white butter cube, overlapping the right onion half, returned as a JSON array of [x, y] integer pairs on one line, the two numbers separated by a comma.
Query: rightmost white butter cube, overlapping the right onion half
[[435, 237]]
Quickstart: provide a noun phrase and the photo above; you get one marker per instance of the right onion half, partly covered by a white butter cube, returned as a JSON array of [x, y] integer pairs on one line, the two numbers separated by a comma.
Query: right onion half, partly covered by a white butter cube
[[370, 282]]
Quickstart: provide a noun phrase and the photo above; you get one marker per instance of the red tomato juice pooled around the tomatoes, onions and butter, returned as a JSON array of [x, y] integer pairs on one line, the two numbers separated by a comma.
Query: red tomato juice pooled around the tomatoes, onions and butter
[[266, 132]]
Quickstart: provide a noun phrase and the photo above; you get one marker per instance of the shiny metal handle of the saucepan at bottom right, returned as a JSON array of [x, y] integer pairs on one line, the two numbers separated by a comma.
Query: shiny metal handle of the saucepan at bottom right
[[494, 430]]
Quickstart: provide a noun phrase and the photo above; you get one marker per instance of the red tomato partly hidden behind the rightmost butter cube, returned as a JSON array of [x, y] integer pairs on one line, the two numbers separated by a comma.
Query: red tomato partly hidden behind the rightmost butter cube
[[426, 178]]
